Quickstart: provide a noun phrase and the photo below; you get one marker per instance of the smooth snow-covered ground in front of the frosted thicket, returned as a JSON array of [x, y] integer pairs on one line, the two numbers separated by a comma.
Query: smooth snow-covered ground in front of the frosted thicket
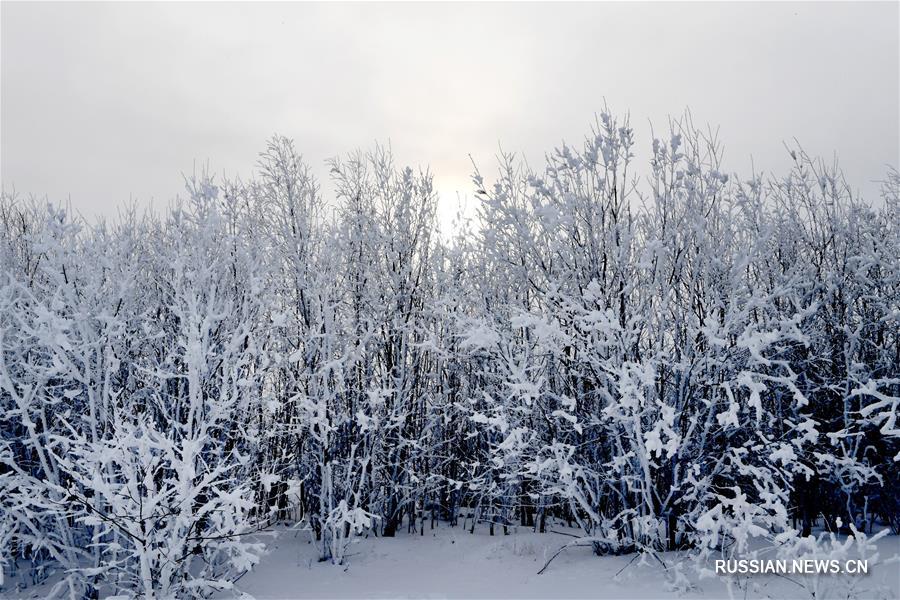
[[451, 563]]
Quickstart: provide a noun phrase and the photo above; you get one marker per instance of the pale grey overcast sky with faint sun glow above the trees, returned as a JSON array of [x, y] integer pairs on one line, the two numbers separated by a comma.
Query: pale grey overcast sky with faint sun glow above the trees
[[106, 102]]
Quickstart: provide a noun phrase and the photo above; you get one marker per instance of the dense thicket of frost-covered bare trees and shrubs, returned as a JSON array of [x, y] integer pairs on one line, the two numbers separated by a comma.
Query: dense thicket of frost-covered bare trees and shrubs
[[676, 358]]
